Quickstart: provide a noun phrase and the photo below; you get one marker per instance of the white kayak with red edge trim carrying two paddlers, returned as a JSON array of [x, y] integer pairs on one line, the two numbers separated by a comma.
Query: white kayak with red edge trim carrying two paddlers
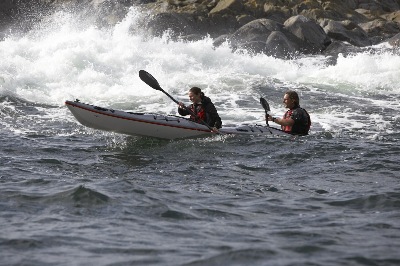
[[154, 125]]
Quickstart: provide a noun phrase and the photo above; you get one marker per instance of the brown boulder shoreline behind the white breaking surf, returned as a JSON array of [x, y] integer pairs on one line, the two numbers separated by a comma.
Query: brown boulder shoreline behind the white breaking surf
[[281, 28]]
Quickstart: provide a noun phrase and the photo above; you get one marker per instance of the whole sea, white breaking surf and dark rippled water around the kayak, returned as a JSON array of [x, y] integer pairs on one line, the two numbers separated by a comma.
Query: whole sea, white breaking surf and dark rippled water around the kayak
[[70, 195]]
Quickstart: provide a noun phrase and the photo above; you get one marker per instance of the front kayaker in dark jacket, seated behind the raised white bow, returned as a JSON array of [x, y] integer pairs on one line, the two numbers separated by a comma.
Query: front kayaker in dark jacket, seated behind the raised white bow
[[201, 109]]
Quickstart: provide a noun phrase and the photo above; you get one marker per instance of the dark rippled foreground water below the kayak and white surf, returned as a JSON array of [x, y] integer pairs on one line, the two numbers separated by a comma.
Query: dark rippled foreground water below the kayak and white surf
[[73, 196]]
